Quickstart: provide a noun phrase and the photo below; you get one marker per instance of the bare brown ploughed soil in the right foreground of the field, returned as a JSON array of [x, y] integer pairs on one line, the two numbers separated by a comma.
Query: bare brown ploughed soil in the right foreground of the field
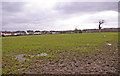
[[102, 61]]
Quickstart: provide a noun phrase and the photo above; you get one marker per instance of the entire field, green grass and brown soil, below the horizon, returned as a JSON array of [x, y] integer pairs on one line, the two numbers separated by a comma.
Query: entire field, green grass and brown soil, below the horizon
[[60, 54]]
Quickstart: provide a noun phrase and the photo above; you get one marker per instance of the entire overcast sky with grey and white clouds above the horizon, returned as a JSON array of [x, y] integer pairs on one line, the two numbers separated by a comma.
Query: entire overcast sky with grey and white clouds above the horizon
[[58, 15]]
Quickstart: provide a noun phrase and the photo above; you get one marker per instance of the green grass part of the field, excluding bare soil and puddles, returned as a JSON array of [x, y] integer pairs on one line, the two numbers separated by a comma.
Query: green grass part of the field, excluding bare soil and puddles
[[34, 44]]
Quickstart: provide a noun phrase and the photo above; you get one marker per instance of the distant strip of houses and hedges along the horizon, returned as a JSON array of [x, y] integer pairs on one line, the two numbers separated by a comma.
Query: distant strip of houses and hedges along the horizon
[[31, 32]]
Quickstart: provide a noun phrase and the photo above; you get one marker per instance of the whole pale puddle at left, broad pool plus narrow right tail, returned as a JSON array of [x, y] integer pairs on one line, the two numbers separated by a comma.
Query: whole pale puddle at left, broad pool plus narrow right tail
[[22, 58]]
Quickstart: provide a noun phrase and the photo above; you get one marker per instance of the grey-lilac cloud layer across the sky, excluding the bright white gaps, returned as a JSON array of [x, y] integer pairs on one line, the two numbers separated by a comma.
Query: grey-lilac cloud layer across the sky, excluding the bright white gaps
[[23, 17]]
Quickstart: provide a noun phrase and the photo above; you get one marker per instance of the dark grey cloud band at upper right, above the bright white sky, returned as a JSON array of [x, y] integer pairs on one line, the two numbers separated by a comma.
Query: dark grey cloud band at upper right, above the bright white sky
[[78, 7]]
